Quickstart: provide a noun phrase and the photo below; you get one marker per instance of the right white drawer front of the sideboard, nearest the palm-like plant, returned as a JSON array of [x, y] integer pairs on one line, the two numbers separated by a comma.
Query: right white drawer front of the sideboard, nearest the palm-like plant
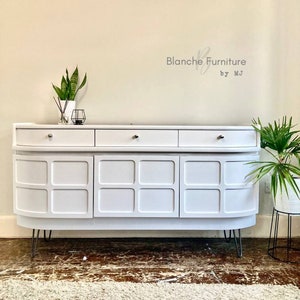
[[217, 138]]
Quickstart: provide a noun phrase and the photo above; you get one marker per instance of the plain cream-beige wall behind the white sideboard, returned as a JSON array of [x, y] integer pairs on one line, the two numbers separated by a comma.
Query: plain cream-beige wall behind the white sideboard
[[123, 45]]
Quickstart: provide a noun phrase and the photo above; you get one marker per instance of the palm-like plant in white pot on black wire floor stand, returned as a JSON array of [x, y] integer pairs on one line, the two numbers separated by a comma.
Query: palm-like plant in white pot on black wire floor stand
[[282, 144]]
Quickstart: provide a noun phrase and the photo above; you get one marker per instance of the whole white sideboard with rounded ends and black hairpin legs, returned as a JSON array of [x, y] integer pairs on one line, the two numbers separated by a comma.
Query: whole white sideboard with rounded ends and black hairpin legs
[[134, 177]]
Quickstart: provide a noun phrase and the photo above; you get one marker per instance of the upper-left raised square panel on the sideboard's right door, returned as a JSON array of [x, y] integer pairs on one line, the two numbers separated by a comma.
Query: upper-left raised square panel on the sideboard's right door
[[202, 172]]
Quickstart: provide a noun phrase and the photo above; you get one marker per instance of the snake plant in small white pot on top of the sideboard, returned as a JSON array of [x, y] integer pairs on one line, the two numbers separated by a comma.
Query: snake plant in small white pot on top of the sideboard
[[66, 94]]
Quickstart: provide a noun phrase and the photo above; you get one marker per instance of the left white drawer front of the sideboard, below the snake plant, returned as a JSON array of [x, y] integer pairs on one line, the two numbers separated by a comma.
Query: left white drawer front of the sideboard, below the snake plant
[[54, 137]]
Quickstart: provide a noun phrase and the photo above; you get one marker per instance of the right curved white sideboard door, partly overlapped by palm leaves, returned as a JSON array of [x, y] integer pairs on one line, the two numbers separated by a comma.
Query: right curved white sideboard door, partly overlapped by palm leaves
[[215, 186]]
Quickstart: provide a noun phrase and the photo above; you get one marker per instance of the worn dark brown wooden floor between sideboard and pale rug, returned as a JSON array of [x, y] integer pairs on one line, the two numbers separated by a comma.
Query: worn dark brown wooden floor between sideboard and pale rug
[[146, 260]]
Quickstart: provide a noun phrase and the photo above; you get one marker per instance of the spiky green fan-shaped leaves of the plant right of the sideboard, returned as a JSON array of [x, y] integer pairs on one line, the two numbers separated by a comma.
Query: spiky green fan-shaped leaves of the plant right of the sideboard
[[282, 142]]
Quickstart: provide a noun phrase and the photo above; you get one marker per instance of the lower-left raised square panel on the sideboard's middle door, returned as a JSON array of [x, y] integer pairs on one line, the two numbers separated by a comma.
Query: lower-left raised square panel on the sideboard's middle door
[[116, 200]]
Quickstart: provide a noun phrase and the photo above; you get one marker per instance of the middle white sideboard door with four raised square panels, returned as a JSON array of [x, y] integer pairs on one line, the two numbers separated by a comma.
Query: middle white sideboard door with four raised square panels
[[136, 186]]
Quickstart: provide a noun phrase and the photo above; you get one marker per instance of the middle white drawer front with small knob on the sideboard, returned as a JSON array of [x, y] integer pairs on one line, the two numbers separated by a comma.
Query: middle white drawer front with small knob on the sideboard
[[137, 138]]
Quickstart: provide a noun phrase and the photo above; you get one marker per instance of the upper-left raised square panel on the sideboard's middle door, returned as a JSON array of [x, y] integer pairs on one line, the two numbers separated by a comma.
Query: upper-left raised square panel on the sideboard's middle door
[[116, 172]]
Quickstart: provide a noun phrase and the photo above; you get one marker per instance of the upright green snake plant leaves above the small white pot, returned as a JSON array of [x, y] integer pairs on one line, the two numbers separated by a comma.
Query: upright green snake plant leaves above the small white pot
[[69, 86]]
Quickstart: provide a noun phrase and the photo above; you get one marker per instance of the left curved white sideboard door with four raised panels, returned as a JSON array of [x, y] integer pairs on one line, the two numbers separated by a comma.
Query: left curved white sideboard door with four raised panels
[[53, 186]]
